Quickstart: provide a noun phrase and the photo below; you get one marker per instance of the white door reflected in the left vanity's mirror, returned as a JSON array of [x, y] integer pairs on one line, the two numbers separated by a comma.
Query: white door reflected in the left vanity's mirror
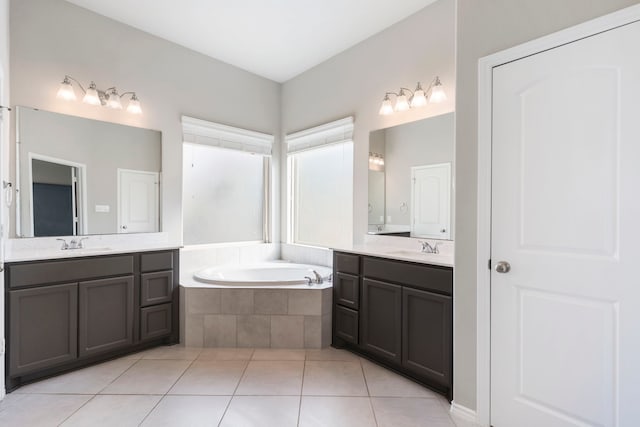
[[137, 201]]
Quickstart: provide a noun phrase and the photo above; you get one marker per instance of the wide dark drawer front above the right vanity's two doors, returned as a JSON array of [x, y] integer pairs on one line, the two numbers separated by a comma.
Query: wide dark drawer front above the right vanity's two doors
[[425, 277]]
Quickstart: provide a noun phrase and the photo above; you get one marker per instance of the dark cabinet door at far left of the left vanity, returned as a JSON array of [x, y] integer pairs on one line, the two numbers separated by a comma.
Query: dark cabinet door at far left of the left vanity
[[43, 327]]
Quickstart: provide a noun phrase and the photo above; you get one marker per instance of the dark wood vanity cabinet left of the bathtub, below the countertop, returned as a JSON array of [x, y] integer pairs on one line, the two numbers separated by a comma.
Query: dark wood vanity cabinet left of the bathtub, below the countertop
[[71, 312]]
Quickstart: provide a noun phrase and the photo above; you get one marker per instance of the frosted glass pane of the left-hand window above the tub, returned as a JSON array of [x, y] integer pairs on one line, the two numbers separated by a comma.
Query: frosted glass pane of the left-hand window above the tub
[[223, 195]]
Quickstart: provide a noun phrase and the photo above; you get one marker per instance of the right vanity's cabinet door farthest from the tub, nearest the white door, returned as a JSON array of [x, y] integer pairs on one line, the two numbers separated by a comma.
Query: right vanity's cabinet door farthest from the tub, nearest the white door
[[427, 335]]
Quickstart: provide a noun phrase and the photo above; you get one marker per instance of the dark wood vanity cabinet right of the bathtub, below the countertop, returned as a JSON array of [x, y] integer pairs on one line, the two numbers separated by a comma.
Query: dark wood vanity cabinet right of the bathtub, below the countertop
[[397, 313]]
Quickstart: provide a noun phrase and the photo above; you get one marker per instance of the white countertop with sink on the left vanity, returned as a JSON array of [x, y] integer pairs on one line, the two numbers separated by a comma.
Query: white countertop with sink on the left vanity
[[43, 248]]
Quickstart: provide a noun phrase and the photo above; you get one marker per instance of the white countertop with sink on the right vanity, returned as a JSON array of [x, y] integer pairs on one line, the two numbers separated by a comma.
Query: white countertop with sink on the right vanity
[[403, 249]]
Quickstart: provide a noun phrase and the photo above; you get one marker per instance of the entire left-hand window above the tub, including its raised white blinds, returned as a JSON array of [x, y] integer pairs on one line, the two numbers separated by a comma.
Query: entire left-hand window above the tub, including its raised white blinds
[[226, 183]]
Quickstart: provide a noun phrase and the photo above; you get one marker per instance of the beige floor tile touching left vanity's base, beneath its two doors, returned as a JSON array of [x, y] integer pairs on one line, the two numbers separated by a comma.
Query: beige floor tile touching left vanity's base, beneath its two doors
[[84, 381]]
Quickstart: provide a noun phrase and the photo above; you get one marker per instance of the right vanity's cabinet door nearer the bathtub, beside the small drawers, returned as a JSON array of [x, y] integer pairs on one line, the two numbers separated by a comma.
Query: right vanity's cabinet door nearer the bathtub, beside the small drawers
[[380, 320]]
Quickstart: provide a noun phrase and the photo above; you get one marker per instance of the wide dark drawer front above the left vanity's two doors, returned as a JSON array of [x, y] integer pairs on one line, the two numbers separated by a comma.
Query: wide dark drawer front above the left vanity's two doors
[[37, 273]]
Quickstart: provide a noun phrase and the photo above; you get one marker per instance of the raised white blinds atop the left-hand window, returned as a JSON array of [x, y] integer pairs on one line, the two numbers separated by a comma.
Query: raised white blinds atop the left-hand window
[[198, 131]]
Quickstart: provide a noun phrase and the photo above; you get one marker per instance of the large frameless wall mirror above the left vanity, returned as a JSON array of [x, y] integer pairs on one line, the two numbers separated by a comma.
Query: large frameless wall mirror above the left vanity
[[76, 176]]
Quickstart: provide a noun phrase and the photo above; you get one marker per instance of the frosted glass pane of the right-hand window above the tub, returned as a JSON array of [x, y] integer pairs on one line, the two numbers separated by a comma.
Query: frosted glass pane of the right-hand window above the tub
[[321, 195]]
